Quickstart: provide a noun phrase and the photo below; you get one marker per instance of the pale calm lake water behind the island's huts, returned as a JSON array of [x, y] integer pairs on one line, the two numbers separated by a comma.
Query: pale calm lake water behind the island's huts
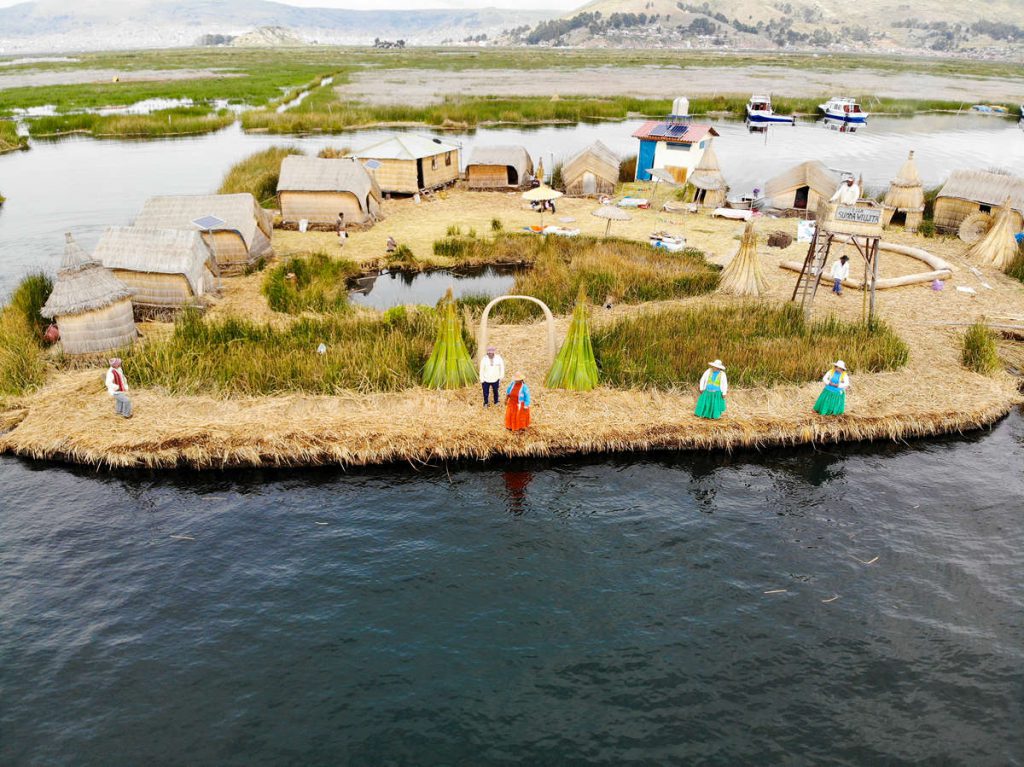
[[83, 186]]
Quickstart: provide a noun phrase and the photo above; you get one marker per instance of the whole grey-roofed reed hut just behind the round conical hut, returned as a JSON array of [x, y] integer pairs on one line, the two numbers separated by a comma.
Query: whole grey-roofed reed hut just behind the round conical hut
[[164, 269]]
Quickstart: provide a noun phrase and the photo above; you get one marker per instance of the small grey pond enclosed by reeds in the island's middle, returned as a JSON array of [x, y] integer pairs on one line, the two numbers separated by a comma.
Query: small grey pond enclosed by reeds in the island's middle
[[402, 288]]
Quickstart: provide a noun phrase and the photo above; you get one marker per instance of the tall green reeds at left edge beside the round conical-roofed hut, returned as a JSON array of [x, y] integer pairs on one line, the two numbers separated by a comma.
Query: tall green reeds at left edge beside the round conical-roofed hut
[[23, 365]]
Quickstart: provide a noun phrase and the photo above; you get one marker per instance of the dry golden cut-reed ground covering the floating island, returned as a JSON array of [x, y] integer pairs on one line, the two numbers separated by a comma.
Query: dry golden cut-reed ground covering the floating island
[[72, 418]]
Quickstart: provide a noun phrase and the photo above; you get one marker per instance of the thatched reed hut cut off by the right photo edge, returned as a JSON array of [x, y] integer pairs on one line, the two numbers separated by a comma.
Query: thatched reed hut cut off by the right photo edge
[[969, 192]]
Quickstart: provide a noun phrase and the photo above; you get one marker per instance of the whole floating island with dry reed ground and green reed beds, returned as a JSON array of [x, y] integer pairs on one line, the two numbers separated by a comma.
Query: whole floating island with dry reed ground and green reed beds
[[279, 367]]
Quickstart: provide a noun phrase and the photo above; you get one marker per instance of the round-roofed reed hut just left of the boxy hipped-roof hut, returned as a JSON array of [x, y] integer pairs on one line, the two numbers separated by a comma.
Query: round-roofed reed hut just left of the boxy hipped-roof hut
[[317, 190]]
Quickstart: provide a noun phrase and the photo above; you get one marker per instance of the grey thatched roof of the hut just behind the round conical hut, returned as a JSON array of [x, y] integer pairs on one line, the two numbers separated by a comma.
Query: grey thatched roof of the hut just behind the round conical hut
[[157, 251]]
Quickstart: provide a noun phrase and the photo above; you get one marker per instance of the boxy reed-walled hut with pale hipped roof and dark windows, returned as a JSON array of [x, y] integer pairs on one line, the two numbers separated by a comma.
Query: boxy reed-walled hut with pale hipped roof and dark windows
[[409, 163]]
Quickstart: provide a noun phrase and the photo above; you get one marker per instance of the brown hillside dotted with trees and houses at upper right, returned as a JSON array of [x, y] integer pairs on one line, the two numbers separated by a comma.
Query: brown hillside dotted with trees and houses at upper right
[[990, 29]]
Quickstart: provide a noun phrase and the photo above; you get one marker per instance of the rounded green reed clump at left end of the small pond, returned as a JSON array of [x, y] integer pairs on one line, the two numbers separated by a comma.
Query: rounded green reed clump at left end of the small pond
[[317, 283]]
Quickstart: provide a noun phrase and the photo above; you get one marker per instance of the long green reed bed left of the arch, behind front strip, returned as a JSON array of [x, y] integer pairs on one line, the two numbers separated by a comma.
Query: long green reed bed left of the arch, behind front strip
[[237, 357]]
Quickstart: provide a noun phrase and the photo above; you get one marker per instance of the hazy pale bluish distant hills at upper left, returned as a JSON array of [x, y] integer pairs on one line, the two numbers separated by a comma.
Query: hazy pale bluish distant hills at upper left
[[105, 25]]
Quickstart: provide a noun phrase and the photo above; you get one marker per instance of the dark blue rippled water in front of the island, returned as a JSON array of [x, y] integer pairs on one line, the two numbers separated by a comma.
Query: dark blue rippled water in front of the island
[[598, 612]]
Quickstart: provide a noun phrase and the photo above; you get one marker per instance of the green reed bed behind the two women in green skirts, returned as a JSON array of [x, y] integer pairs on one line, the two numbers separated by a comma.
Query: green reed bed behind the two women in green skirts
[[761, 345]]
